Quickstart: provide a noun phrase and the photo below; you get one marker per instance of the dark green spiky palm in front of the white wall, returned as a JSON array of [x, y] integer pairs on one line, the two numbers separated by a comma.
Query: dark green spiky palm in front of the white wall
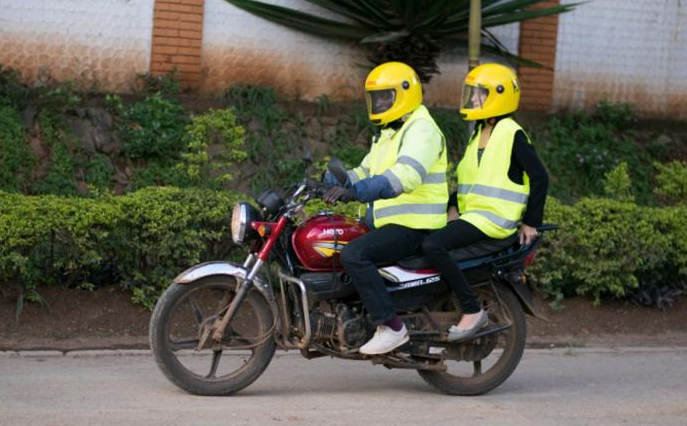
[[411, 31]]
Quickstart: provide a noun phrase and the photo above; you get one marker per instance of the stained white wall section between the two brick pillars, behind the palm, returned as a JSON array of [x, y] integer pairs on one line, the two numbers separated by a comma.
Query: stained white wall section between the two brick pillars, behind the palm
[[241, 47]]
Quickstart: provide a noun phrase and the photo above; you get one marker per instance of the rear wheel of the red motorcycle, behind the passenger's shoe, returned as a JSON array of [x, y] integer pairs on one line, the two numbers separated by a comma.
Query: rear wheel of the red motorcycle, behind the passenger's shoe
[[509, 348]]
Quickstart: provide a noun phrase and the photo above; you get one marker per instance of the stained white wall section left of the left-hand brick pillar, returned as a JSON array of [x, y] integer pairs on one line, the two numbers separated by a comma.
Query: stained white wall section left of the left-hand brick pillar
[[99, 43]]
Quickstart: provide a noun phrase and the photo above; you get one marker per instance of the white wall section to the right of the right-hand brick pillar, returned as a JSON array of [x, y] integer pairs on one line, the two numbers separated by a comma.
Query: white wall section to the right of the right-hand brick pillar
[[624, 51]]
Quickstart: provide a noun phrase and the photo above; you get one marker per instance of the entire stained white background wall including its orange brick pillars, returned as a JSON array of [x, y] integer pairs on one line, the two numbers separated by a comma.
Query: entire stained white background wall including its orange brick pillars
[[606, 49]]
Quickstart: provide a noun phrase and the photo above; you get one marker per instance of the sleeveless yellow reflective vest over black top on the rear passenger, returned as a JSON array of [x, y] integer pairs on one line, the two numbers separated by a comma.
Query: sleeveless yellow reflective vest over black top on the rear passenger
[[487, 198]]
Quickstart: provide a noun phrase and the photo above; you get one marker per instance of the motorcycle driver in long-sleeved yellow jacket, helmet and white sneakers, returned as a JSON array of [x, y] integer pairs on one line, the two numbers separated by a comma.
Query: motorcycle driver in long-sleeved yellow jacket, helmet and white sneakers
[[403, 178]]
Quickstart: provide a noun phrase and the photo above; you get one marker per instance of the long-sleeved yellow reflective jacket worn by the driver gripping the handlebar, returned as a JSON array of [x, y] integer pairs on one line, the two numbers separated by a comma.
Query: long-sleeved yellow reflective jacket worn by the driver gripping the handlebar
[[425, 206]]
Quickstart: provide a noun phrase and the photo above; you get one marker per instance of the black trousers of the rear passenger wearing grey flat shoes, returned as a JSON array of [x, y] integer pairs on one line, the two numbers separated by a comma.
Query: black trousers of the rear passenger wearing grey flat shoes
[[437, 245]]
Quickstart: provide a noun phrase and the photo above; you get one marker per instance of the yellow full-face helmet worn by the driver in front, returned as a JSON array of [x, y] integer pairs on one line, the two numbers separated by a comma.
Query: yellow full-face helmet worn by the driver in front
[[392, 90]]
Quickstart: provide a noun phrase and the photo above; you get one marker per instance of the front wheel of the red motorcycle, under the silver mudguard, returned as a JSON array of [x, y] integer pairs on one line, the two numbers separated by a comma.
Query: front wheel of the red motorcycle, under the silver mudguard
[[216, 368]]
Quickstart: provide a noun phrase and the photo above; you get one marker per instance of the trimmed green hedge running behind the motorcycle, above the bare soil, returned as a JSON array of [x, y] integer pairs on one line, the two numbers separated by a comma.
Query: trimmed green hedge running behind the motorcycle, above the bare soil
[[605, 248]]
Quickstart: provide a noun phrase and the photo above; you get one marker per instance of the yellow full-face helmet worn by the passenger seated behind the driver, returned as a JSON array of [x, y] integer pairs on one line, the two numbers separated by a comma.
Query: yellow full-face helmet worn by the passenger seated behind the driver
[[489, 90]]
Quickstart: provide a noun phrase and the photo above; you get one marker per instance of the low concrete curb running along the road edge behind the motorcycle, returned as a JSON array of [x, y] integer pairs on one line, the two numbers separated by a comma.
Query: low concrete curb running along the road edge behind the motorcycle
[[90, 353]]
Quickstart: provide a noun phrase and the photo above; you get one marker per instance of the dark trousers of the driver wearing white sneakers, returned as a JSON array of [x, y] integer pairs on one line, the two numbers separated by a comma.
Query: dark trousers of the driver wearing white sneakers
[[390, 243]]
